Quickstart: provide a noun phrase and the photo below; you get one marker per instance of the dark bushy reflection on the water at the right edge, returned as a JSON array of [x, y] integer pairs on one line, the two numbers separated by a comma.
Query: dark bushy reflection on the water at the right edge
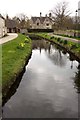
[[77, 79]]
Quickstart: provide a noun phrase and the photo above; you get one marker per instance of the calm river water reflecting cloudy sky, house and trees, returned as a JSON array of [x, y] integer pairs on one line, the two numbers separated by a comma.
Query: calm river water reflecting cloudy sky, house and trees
[[49, 87]]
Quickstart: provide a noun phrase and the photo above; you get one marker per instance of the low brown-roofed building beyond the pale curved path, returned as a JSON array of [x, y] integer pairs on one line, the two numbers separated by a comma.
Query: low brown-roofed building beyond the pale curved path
[[11, 26]]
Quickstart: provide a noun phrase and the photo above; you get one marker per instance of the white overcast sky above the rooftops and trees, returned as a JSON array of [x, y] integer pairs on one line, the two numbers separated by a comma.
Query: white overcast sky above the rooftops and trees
[[33, 7]]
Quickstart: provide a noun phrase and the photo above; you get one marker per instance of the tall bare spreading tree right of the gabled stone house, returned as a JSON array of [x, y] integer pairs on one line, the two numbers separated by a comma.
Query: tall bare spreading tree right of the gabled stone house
[[61, 14]]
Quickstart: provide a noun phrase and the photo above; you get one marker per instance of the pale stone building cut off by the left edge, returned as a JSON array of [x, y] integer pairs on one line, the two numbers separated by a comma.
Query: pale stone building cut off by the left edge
[[3, 29]]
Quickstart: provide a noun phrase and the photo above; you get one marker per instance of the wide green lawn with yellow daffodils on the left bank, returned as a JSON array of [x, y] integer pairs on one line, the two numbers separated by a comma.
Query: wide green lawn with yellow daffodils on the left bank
[[14, 56]]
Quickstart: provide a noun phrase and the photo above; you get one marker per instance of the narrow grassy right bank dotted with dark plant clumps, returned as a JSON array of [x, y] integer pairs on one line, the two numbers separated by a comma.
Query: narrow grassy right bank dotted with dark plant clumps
[[70, 46]]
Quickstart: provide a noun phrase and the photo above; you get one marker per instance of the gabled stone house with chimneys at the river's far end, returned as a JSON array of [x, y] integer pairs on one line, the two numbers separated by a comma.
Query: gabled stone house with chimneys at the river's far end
[[41, 22]]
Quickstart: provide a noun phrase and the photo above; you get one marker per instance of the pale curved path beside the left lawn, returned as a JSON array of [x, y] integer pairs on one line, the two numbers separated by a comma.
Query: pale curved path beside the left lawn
[[10, 37]]
